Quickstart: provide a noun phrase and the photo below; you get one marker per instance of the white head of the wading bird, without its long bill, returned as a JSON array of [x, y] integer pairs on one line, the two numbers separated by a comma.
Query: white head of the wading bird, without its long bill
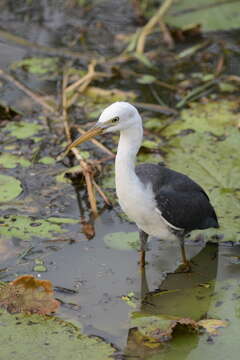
[[119, 116]]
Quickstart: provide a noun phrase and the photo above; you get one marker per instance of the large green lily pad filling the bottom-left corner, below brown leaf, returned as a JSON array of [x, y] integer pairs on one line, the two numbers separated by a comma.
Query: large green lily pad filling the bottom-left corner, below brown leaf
[[25, 337]]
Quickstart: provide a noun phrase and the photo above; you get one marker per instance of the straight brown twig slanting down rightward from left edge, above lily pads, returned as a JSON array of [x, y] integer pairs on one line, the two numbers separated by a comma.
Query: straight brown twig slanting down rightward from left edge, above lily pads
[[37, 98]]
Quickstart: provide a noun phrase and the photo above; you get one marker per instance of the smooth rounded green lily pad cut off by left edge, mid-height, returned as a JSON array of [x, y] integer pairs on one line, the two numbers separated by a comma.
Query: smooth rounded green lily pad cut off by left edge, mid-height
[[10, 188]]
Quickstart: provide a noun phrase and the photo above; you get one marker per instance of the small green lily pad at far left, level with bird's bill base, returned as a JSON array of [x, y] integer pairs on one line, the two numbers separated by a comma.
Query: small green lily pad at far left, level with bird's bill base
[[22, 130]]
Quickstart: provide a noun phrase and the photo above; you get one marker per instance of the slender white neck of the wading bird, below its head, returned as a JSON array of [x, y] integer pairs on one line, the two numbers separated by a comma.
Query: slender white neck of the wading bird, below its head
[[129, 144]]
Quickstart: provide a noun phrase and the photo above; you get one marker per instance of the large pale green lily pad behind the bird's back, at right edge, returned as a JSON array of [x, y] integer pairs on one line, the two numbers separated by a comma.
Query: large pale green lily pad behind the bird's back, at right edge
[[215, 165]]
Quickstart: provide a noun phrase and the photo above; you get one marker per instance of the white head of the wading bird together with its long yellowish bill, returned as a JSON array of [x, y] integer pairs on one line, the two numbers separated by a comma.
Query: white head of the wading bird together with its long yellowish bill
[[116, 117]]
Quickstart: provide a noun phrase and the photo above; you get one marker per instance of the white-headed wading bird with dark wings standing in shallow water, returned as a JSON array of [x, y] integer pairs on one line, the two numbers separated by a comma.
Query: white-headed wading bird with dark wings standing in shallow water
[[162, 202]]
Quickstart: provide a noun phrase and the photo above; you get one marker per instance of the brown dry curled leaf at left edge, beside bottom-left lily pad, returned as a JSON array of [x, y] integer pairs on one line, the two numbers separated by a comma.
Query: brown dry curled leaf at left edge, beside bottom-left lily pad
[[29, 295]]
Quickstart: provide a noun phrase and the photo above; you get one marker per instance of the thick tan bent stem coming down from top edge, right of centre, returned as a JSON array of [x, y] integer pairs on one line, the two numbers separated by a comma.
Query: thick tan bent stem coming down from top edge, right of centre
[[146, 29]]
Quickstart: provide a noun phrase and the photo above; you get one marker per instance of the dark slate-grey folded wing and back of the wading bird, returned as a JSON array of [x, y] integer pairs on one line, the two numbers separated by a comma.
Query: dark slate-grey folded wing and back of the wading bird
[[182, 202]]
